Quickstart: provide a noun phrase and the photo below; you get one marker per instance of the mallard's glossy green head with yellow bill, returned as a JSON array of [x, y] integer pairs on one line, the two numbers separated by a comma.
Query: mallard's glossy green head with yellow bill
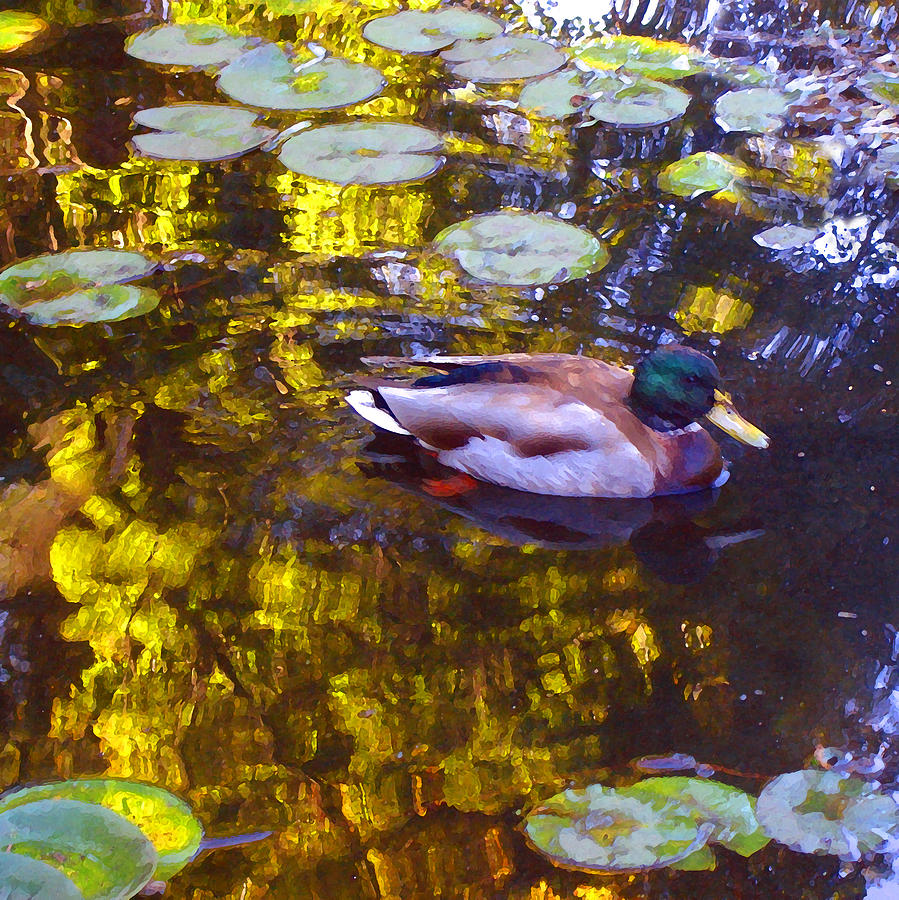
[[674, 386]]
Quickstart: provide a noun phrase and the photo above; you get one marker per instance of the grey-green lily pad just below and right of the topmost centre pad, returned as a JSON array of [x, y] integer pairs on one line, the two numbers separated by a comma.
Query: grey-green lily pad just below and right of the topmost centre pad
[[503, 58]]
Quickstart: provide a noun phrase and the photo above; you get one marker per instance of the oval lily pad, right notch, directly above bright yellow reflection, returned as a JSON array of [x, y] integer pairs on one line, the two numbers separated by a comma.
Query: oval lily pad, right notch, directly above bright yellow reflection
[[364, 153]]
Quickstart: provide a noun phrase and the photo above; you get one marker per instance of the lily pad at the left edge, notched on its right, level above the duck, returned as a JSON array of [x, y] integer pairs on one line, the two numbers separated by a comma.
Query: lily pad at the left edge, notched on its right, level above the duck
[[78, 287]]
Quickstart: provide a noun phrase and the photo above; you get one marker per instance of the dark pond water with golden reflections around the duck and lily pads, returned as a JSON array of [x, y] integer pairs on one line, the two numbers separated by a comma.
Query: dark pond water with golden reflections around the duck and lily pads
[[214, 581]]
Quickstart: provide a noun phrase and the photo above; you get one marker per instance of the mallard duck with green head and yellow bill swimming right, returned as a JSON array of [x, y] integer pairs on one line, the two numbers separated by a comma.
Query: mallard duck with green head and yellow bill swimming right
[[568, 426]]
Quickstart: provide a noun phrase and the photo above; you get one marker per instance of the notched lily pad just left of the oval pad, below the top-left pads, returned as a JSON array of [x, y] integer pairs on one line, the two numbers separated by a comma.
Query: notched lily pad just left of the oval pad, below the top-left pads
[[199, 131]]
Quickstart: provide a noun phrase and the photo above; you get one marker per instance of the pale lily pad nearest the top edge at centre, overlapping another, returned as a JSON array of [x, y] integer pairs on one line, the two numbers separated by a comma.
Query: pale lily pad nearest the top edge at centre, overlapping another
[[413, 31]]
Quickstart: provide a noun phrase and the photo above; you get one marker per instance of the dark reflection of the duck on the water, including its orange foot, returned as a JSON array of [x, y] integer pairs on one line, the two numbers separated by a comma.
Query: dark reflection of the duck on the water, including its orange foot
[[660, 530]]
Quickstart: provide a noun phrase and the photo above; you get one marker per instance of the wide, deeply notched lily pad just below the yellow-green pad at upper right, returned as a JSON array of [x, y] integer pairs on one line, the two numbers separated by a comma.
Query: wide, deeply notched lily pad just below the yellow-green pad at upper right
[[608, 97]]
